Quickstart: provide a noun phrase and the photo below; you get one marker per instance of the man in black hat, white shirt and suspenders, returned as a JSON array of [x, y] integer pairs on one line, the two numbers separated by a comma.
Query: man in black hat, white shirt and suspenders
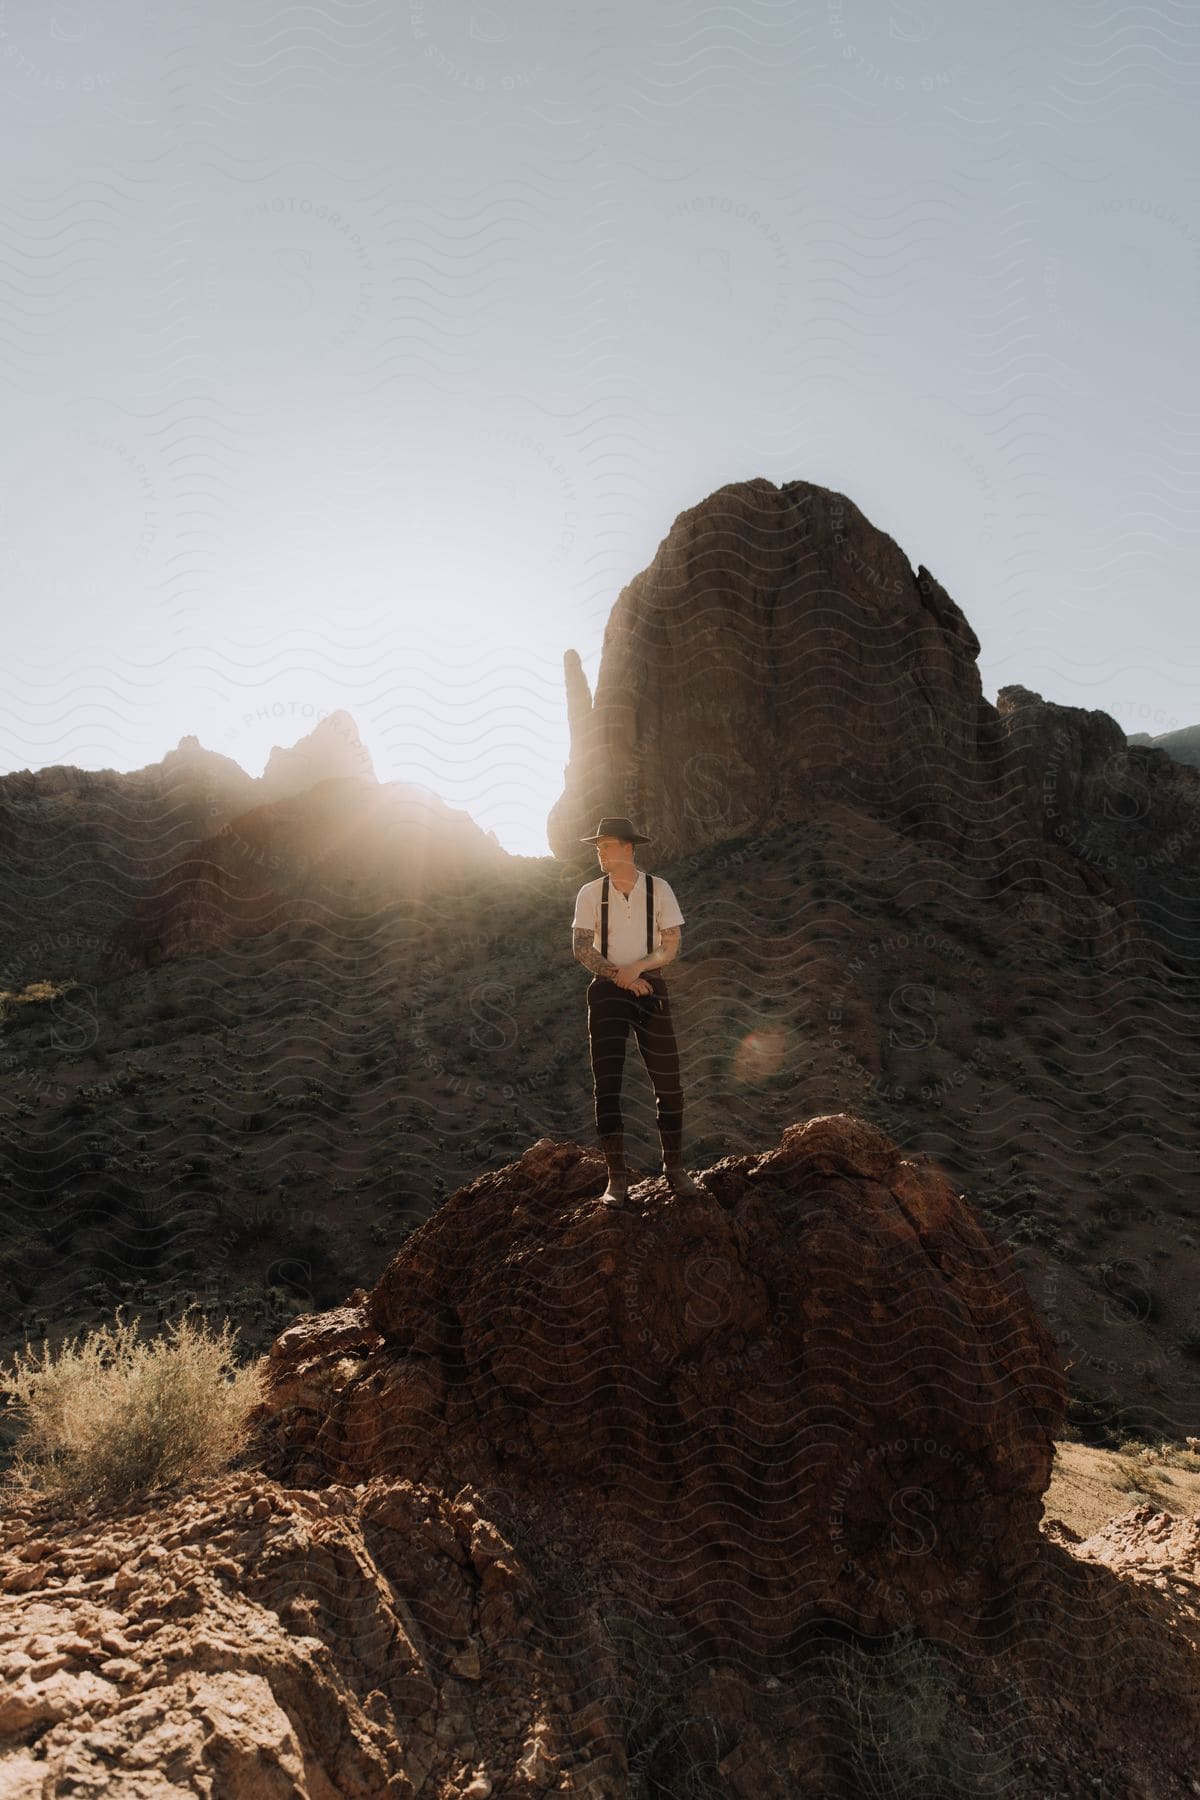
[[625, 931]]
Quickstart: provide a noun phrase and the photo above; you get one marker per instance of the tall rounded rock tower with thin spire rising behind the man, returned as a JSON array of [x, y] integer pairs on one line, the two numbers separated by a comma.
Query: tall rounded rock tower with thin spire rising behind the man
[[778, 660]]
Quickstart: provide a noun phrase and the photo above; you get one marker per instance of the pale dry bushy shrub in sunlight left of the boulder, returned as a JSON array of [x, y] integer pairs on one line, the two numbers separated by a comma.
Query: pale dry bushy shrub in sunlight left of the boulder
[[112, 1416]]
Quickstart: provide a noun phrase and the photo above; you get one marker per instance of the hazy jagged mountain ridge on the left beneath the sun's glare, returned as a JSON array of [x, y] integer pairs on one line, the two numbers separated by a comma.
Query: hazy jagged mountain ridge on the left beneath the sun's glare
[[192, 852]]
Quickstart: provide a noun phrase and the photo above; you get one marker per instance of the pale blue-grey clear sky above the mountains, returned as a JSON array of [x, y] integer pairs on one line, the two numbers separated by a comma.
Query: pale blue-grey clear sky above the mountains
[[359, 355]]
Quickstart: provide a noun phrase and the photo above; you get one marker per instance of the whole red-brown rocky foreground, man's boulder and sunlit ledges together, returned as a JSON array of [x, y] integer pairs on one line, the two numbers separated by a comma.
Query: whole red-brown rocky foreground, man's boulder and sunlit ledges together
[[692, 1497]]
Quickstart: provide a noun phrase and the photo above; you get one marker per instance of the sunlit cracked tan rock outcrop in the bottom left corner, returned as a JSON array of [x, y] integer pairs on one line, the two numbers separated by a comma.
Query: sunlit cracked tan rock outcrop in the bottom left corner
[[249, 1641]]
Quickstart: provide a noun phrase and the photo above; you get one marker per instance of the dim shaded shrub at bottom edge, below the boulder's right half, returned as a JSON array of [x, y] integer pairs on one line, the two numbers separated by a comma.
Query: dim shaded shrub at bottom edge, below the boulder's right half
[[902, 1732]]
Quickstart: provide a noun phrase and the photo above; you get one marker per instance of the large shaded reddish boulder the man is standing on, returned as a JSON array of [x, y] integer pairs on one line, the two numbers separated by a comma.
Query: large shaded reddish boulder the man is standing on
[[814, 1392]]
